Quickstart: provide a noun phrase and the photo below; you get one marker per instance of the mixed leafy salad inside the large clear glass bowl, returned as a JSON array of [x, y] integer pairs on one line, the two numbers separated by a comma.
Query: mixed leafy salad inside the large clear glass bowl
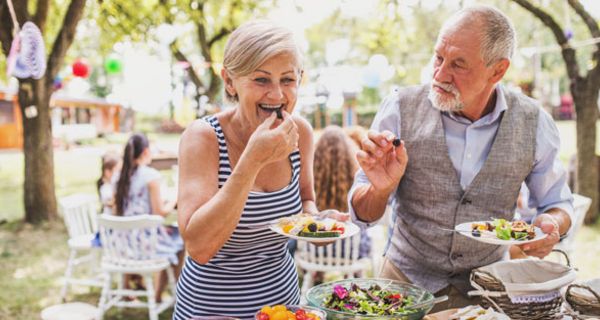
[[371, 301]]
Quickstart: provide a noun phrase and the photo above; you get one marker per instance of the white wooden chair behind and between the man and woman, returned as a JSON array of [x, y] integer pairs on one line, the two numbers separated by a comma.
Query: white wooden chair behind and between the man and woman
[[341, 258]]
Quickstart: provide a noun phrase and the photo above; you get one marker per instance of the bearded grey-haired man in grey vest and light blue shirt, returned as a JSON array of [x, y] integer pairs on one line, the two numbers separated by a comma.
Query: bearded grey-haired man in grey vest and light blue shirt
[[468, 144]]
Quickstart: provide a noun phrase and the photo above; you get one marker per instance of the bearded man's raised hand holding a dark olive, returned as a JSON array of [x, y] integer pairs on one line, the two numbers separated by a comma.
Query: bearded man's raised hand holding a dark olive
[[382, 163]]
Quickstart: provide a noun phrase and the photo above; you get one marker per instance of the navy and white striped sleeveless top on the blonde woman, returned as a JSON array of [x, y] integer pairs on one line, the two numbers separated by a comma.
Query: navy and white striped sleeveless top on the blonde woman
[[254, 267]]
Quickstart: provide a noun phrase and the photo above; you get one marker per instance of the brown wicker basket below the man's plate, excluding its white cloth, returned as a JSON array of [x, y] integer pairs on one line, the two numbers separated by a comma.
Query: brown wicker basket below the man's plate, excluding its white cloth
[[501, 302]]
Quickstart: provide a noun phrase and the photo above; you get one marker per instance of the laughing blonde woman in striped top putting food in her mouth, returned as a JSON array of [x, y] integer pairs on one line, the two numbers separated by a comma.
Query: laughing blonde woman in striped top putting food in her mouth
[[241, 168]]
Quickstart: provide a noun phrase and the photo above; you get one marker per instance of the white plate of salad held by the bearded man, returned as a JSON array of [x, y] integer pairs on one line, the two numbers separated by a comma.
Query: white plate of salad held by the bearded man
[[501, 231]]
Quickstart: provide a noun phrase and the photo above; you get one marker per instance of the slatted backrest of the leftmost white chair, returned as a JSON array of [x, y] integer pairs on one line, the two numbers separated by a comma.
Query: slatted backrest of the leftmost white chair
[[80, 213]]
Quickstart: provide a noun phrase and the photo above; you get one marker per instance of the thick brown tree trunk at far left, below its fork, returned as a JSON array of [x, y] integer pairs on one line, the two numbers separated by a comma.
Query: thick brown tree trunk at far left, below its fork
[[39, 196]]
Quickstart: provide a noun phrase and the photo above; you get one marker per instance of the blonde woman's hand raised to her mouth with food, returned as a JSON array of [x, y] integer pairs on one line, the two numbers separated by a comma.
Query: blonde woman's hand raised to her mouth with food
[[272, 142]]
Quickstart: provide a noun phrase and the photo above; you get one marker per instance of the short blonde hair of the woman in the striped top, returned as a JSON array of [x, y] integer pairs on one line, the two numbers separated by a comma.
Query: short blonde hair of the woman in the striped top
[[255, 42]]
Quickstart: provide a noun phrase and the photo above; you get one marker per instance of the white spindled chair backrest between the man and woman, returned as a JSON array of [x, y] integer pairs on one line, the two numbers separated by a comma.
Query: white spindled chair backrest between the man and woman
[[342, 255]]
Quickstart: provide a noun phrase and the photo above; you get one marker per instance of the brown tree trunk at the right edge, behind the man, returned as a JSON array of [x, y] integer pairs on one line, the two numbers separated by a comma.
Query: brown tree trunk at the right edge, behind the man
[[587, 164]]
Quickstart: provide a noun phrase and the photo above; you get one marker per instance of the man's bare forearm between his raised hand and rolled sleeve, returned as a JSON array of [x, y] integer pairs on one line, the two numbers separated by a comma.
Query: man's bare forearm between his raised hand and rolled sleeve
[[369, 204]]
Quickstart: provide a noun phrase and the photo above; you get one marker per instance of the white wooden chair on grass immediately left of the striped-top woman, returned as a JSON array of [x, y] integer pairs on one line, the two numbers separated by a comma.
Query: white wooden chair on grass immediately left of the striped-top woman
[[129, 246]]
